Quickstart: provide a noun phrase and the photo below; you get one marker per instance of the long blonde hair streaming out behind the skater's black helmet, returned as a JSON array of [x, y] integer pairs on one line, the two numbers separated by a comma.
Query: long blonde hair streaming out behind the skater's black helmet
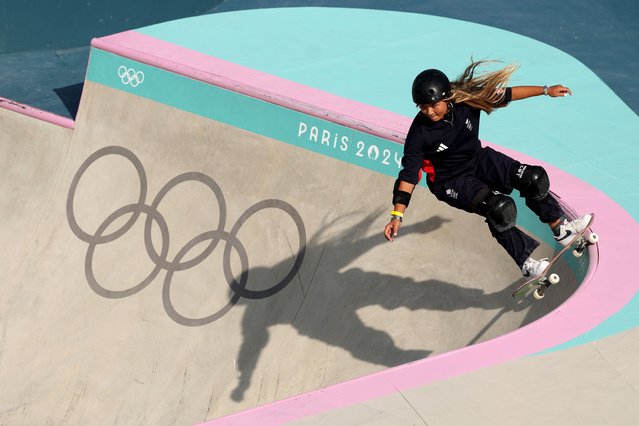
[[483, 91]]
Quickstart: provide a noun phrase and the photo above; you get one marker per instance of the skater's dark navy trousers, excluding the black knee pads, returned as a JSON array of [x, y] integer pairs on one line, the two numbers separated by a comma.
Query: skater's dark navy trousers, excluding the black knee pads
[[494, 171]]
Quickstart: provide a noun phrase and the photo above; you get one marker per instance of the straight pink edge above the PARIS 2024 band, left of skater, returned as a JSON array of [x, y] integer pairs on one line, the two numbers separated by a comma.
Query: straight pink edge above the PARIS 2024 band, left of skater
[[256, 84]]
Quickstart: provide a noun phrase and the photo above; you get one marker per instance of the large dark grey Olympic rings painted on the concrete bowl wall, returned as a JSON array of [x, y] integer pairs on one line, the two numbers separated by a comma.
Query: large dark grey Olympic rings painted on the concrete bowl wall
[[159, 258]]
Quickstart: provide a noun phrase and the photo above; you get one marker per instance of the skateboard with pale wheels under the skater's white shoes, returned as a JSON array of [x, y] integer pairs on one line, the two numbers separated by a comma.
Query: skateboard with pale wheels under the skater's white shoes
[[539, 284]]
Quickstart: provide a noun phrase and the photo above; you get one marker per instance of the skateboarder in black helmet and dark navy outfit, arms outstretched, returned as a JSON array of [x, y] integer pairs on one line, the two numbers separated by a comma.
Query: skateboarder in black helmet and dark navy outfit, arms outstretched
[[443, 141]]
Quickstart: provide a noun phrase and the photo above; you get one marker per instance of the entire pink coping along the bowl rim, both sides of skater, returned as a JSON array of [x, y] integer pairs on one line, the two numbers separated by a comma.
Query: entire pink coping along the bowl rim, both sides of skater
[[591, 304]]
